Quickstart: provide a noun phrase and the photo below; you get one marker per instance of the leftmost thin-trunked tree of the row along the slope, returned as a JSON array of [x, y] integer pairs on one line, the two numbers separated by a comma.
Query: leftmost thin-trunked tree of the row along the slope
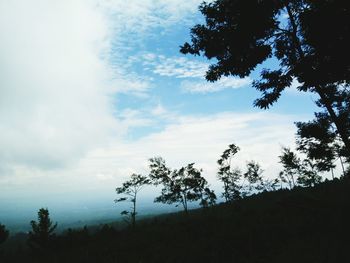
[[131, 188]]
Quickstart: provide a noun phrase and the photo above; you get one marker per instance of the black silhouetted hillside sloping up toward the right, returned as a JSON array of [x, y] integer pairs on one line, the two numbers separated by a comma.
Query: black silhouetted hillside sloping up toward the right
[[299, 225]]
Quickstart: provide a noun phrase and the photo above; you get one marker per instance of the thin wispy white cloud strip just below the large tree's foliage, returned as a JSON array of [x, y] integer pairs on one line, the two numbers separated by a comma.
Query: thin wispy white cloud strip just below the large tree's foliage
[[209, 87]]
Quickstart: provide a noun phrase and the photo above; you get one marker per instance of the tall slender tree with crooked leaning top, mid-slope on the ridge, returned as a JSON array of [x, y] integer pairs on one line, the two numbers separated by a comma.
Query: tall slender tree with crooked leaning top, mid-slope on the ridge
[[229, 176]]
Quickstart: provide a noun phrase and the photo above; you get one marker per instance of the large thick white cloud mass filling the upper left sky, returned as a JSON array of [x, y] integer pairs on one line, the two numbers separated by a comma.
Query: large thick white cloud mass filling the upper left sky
[[55, 82]]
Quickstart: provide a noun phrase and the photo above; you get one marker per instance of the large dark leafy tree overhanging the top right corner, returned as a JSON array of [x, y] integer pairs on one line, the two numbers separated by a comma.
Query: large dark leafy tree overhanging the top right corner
[[310, 40]]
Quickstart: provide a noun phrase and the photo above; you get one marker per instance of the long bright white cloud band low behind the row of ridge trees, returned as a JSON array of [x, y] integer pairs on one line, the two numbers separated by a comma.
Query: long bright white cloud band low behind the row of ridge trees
[[199, 139]]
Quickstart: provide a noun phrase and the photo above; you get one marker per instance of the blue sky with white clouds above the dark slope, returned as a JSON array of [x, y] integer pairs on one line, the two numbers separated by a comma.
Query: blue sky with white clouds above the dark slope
[[91, 89]]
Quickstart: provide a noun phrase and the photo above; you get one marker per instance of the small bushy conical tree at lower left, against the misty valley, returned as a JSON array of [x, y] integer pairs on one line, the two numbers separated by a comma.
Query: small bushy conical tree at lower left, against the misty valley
[[42, 231]]
